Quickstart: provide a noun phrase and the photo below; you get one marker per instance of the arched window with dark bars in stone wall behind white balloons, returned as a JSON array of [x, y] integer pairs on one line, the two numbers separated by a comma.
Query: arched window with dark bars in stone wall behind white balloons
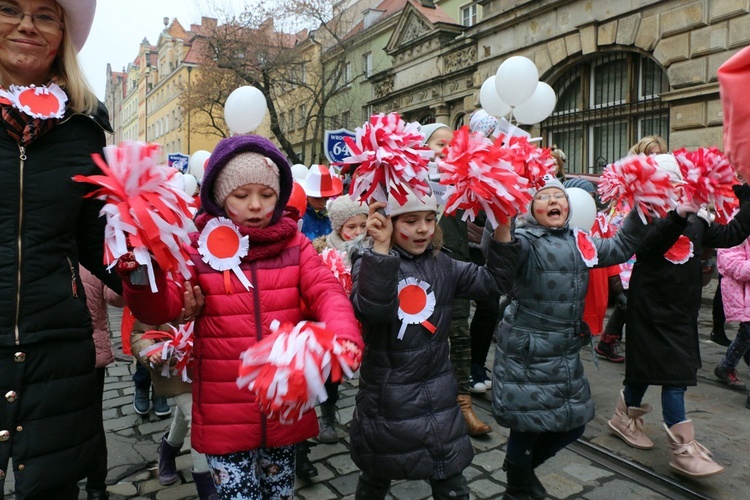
[[604, 106]]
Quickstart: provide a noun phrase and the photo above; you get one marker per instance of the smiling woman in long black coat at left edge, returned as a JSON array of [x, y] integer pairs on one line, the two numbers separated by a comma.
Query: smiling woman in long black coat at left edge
[[50, 424]]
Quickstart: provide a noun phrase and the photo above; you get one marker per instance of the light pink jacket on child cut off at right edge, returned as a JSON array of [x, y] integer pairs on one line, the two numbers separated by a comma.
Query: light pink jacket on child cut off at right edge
[[734, 266]]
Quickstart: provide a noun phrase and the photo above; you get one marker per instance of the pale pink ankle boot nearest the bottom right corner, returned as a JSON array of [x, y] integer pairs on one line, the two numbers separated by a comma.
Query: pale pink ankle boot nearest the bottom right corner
[[689, 457]]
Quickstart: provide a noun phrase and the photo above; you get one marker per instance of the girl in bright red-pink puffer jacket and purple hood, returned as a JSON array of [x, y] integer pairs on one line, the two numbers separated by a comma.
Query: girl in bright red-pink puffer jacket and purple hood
[[253, 267]]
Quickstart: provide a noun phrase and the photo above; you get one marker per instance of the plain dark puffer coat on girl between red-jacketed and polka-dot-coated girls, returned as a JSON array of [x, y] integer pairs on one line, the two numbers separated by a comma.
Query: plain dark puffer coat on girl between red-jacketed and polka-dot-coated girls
[[407, 423]]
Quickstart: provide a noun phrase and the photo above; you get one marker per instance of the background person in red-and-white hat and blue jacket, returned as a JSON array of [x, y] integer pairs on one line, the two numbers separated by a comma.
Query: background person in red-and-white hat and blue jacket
[[320, 185]]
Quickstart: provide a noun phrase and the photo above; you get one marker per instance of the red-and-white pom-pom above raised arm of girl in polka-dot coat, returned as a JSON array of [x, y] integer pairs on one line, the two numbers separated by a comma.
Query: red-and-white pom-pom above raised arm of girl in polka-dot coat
[[637, 180]]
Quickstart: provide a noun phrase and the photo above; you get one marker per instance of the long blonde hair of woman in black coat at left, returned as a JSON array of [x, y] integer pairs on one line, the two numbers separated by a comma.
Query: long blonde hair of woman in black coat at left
[[66, 72]]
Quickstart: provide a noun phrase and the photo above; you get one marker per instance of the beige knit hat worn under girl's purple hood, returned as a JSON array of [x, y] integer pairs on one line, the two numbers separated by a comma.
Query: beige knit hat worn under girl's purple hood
[[245, 168]]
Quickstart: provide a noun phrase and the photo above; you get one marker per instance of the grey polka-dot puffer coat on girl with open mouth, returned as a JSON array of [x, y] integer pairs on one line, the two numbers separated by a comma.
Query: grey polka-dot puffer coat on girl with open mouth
[[538, 380]]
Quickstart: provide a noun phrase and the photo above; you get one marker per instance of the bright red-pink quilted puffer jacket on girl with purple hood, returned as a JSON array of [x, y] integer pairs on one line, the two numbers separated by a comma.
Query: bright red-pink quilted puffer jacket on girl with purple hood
[[227, 419]]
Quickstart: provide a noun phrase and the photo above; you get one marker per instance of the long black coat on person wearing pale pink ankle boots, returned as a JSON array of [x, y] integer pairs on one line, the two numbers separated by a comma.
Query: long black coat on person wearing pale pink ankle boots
[[663, 302]]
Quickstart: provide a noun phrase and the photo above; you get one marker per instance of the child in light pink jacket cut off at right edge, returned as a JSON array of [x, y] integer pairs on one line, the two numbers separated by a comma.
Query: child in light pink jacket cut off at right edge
[[734, 268]]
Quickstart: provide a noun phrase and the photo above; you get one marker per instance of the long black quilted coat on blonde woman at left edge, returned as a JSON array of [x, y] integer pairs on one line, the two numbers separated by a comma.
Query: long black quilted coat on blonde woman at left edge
[[46, 346]]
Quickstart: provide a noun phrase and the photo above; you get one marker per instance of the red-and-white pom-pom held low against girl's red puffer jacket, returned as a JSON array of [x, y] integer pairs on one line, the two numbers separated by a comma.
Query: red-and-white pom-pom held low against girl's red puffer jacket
[[287, 370]]
